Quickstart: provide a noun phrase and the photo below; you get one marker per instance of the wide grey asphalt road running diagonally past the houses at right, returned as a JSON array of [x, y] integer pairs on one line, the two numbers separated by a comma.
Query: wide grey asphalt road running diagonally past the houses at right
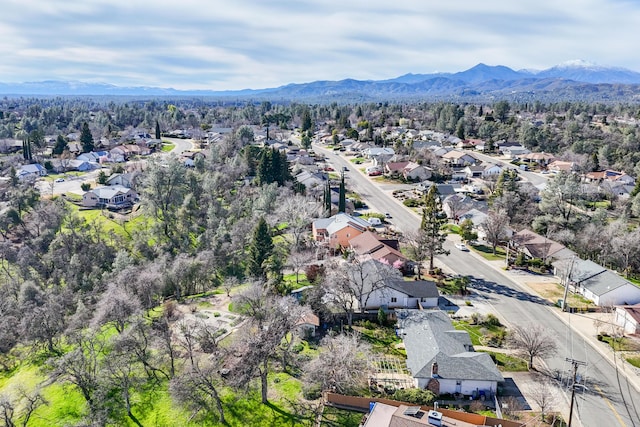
[[607, 399]]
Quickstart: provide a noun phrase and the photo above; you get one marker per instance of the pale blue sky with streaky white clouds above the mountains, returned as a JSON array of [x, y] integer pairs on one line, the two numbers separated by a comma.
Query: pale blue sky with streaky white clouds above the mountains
[[239, 44]]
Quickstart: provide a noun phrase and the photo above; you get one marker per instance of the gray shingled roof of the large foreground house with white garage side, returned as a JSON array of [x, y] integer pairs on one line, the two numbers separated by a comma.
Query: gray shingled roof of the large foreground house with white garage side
[[430, 337]]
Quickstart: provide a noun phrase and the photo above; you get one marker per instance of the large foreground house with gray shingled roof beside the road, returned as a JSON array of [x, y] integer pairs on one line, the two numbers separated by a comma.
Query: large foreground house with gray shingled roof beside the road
[[442, 359]]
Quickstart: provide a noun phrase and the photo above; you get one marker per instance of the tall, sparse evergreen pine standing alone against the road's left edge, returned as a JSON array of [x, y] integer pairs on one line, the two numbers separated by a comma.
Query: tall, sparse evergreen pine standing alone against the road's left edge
[[433, 219]]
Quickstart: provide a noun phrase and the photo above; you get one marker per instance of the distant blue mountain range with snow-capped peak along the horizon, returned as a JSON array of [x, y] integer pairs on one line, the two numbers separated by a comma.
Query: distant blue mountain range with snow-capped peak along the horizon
[[574, 80]]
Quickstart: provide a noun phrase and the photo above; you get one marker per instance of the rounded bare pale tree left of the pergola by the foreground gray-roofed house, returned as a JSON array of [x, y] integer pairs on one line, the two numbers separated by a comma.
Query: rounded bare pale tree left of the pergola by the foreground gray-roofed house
[[342, 366]]
